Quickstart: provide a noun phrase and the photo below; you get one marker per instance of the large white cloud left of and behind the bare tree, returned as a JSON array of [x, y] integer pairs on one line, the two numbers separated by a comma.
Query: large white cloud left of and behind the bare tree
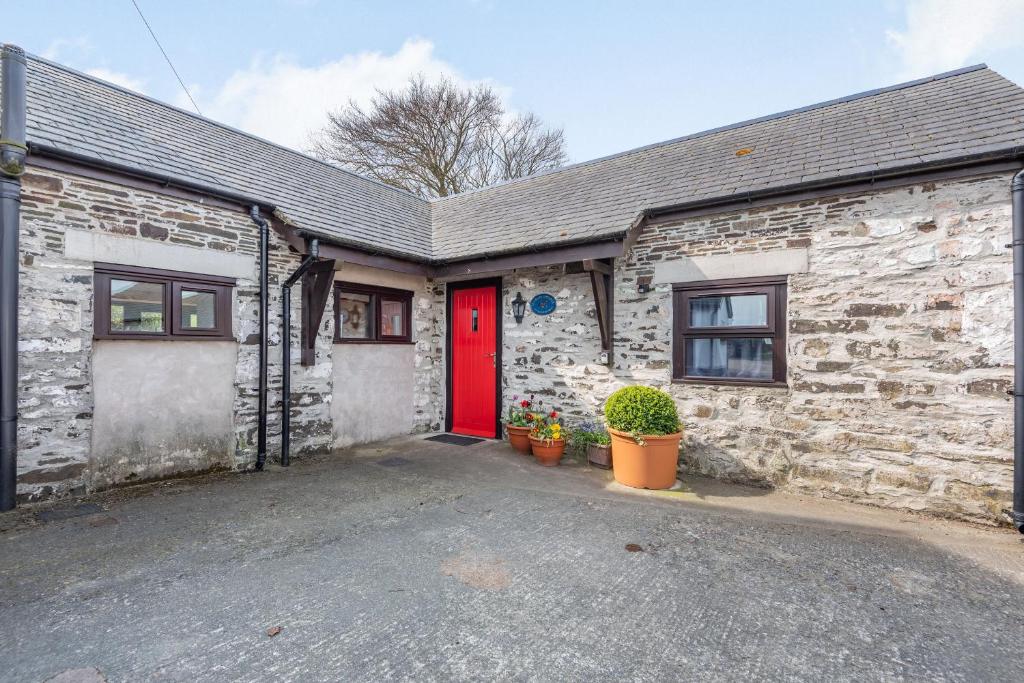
[[284, 102]]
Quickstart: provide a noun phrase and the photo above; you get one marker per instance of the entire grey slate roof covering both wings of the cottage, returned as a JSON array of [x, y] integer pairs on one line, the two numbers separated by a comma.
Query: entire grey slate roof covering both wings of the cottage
[[972, 112]]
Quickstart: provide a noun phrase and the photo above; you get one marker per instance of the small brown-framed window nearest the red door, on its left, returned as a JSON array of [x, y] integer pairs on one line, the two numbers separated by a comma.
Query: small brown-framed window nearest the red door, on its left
[[370, 315]]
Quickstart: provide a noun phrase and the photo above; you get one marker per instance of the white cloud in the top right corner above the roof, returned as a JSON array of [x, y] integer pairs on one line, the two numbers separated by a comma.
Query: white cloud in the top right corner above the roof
[[942, 35]]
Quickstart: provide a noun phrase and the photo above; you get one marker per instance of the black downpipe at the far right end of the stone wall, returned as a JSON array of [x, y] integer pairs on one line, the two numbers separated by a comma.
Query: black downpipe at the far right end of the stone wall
[[1017, 197]]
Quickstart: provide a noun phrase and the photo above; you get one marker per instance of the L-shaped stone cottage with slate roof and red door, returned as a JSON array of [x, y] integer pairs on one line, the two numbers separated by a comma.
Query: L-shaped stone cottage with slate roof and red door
[[826, 292]]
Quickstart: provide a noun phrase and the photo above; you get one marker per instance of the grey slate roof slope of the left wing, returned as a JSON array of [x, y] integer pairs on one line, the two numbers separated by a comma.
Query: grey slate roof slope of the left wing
[[79, 114]]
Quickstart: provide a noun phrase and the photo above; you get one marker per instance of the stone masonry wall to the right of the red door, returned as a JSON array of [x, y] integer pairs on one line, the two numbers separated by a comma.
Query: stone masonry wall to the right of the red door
[[900, 349]]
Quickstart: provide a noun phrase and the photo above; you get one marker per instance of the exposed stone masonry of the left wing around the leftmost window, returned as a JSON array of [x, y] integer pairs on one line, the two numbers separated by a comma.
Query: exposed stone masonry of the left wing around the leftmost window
[[57, 317]]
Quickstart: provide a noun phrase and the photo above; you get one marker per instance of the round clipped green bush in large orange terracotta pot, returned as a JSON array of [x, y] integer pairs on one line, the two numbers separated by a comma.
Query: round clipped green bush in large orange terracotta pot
[[646, 434]]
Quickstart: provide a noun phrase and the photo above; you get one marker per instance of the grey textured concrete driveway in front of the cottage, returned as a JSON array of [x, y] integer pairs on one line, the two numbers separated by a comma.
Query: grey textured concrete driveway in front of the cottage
[[419, 561]]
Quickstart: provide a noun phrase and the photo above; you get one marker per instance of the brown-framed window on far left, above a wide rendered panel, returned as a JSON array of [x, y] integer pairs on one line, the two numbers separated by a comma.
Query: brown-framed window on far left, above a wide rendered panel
[[150, 304]]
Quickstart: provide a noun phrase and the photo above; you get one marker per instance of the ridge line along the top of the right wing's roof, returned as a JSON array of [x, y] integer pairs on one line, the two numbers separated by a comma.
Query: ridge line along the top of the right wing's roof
[[735, 126]]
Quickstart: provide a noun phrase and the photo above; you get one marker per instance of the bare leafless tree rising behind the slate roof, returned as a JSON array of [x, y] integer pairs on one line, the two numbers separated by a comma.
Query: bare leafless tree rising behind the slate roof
[[438, 140]]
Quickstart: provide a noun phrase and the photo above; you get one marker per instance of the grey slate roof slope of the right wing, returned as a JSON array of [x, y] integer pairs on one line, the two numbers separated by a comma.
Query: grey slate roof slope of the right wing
[[968, 112]]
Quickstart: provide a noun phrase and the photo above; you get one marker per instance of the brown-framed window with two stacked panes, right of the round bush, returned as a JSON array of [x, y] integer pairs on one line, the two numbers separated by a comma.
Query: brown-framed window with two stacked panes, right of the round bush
[[730, 332]]
